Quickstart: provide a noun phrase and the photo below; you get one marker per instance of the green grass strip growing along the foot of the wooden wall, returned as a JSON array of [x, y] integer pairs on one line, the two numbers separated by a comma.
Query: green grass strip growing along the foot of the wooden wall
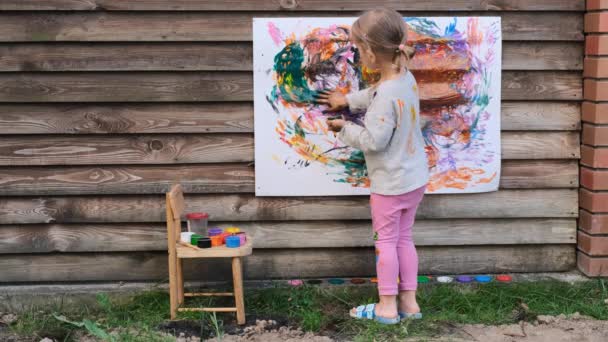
[[324, 309]]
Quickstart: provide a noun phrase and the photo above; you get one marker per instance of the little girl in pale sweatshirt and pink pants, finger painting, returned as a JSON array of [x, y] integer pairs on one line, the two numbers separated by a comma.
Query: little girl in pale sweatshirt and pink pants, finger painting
[[392, 143]]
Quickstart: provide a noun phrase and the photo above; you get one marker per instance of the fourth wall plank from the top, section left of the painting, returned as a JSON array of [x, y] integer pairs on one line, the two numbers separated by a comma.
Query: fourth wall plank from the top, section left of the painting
[[126, 87]]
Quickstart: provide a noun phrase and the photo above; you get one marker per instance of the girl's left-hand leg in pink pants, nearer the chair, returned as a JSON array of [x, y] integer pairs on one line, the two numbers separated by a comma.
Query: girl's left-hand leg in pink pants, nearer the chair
[[386, 214]]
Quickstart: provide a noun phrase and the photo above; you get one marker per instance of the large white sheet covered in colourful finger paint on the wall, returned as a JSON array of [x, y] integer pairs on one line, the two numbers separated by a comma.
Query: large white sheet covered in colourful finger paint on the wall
[[457, 66]]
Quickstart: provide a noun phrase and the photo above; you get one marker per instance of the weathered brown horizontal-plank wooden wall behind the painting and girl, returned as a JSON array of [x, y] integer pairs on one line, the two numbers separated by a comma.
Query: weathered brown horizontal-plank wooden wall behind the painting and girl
[[105, 103]]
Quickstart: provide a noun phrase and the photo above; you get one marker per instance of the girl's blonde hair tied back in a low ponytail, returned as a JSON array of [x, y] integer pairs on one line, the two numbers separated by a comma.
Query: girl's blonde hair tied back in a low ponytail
[[383, 31]]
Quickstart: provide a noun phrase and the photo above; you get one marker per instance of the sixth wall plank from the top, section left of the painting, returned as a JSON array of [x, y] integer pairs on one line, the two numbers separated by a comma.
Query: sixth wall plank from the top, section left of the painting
[[127, 149]]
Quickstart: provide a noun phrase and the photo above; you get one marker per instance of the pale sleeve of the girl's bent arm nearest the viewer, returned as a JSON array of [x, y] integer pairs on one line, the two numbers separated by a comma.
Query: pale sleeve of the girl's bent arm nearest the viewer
[[380, 123]]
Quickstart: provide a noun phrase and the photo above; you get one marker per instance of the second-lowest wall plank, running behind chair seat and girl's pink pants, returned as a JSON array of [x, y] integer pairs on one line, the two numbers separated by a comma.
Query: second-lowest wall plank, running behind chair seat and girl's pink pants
[[307, 234]]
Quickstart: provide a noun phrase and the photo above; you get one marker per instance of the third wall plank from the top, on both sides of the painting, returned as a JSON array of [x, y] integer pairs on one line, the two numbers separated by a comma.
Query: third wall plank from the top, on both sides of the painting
[[237, 56]]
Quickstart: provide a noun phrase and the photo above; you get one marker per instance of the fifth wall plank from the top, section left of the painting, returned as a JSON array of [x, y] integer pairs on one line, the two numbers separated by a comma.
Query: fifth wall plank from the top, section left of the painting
[[230, 117]]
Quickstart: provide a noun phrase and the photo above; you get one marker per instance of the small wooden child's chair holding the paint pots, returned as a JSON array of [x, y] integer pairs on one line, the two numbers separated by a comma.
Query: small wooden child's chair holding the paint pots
[[179, 251]]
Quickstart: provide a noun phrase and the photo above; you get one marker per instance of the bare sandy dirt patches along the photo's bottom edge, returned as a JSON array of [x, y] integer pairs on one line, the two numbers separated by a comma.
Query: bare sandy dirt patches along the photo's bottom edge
[[574, 328]]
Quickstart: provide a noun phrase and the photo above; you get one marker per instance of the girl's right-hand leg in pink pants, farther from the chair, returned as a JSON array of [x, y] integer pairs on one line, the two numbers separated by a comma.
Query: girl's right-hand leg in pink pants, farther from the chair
[[406, 251]]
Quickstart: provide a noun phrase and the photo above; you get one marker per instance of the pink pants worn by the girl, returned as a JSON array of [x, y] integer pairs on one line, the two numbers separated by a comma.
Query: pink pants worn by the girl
[[392, 220]]
